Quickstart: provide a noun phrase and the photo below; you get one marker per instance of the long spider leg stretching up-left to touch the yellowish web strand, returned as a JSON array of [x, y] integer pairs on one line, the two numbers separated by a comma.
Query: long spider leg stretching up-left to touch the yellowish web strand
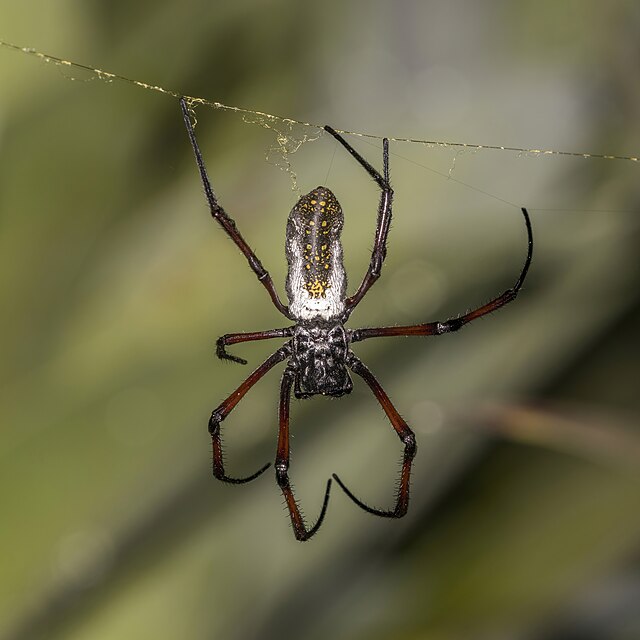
[[221, 216]]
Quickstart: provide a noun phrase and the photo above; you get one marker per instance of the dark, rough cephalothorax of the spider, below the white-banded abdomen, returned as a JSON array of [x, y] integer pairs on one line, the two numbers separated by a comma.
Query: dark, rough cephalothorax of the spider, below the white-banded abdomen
[[319, 356]]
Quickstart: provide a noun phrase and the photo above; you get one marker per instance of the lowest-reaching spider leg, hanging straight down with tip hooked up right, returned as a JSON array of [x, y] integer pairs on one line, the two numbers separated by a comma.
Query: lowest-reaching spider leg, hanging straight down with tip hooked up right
[[300, 529]]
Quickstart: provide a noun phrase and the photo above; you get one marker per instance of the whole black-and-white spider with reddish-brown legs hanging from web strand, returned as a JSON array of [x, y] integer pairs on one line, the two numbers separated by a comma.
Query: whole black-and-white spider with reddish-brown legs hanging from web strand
[[319, 347]]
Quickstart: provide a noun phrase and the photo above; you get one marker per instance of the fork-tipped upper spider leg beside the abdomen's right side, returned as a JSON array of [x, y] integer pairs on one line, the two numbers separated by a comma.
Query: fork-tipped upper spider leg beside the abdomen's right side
[[379, 251]]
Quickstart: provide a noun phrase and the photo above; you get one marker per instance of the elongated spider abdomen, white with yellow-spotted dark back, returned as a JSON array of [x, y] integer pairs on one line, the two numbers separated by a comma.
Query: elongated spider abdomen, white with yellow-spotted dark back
[[316, 280]]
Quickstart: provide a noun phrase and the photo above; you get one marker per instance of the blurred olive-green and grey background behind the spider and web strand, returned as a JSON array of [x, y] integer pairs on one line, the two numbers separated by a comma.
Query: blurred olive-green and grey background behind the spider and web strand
[[115, 283]]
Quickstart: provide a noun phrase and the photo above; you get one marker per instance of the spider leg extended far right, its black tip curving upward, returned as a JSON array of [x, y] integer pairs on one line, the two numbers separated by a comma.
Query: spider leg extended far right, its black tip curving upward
[[453, 324]]
